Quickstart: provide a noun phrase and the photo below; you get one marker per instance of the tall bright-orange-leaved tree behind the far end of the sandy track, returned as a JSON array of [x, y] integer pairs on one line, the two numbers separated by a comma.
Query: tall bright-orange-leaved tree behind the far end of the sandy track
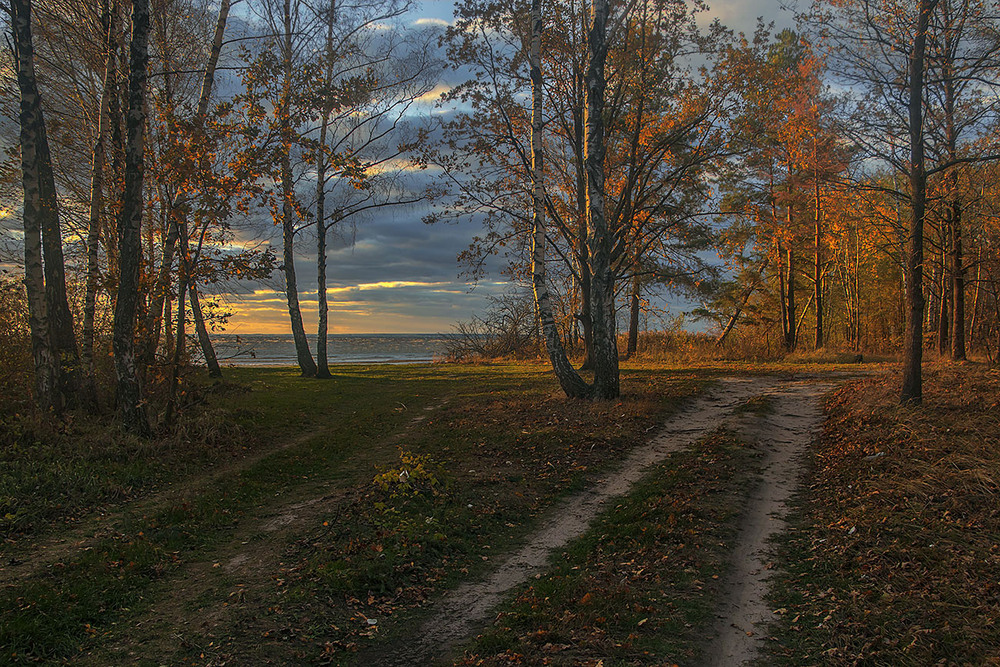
[[782, 189]]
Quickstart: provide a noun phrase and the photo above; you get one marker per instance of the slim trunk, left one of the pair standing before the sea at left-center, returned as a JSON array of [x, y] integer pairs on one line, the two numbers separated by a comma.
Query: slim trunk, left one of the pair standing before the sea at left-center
[[306, 363]]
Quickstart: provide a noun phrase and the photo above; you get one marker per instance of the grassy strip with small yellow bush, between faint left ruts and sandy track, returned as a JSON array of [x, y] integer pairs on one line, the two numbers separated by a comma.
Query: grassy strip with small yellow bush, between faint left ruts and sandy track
[[478, 472]]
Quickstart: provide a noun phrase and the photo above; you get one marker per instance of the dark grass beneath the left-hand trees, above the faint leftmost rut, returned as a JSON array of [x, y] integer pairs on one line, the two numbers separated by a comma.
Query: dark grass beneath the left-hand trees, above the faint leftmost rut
[[56, 470]]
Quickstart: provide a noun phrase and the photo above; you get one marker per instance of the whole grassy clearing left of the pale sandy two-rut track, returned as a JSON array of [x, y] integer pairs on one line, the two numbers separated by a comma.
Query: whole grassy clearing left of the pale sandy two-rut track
[[499, 439]]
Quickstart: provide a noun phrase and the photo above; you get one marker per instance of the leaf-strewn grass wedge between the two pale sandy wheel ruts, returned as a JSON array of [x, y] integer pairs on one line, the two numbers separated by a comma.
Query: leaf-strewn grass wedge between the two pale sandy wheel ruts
[[639, 587]]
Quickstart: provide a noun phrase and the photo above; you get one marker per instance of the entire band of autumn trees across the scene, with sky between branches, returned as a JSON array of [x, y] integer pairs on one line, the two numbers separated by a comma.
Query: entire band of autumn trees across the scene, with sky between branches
[[831, 185]]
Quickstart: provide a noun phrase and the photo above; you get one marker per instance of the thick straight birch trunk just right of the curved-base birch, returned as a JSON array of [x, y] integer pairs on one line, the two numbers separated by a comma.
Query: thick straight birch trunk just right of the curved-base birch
[[601, 237]]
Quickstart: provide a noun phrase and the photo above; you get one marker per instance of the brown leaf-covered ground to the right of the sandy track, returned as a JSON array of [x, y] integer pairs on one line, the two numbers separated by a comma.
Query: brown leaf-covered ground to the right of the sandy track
[[894, 555]]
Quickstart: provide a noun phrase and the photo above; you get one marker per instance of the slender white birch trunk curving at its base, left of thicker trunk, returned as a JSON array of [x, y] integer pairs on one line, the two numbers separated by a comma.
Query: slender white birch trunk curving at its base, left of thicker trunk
[[570, 381]]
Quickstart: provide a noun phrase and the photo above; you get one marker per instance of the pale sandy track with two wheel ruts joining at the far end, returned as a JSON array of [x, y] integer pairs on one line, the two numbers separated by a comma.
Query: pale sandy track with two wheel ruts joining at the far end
[[460, 612]]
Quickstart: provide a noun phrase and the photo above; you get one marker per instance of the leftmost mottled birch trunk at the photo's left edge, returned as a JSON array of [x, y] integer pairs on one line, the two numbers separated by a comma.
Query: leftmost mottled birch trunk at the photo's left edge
[[47, 393]]
